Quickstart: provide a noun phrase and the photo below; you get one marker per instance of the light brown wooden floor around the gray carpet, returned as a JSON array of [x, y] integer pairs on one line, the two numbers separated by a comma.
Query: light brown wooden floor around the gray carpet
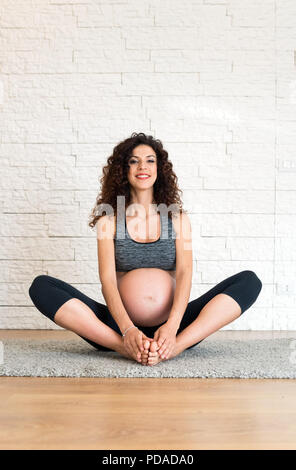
[[146, 413]]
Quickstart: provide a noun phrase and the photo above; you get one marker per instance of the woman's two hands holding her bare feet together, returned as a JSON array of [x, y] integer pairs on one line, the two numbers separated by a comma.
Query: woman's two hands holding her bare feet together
[[165, 336]]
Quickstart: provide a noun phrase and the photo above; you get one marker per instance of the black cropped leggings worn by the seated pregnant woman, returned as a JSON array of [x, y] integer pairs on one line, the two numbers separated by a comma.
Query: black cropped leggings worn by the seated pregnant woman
[[48, 294]]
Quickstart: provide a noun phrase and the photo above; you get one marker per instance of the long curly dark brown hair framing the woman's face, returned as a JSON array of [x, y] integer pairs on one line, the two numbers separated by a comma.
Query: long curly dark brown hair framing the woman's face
[[115, 182]]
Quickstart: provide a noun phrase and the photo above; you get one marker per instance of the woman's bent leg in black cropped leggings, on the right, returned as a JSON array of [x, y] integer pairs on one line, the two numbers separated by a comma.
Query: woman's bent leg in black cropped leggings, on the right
[[216, 308]]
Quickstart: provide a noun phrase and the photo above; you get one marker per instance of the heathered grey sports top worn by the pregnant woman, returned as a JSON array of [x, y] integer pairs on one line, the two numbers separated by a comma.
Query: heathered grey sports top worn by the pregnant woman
[[130, 254]]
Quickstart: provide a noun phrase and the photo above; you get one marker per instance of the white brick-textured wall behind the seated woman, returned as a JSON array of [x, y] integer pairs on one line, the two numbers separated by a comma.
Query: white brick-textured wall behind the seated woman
[[215, 80]]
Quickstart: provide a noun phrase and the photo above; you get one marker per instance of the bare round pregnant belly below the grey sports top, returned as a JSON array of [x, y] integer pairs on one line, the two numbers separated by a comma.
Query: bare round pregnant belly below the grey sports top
[[147, 295]]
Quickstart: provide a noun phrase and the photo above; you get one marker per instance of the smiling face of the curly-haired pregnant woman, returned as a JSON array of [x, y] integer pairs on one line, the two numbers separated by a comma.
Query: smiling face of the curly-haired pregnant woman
[[143, 160]]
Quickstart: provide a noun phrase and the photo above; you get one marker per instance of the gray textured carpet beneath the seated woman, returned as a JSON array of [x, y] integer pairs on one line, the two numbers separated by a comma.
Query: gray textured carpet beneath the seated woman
[[256, 358]]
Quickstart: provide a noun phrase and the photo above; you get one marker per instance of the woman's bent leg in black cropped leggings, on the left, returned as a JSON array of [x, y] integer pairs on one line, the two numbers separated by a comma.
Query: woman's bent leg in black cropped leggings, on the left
[[71, 309]]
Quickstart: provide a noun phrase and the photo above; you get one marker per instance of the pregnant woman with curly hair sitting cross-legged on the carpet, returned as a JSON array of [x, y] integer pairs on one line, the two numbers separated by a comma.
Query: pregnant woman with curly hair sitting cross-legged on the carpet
[[145, 267]]
